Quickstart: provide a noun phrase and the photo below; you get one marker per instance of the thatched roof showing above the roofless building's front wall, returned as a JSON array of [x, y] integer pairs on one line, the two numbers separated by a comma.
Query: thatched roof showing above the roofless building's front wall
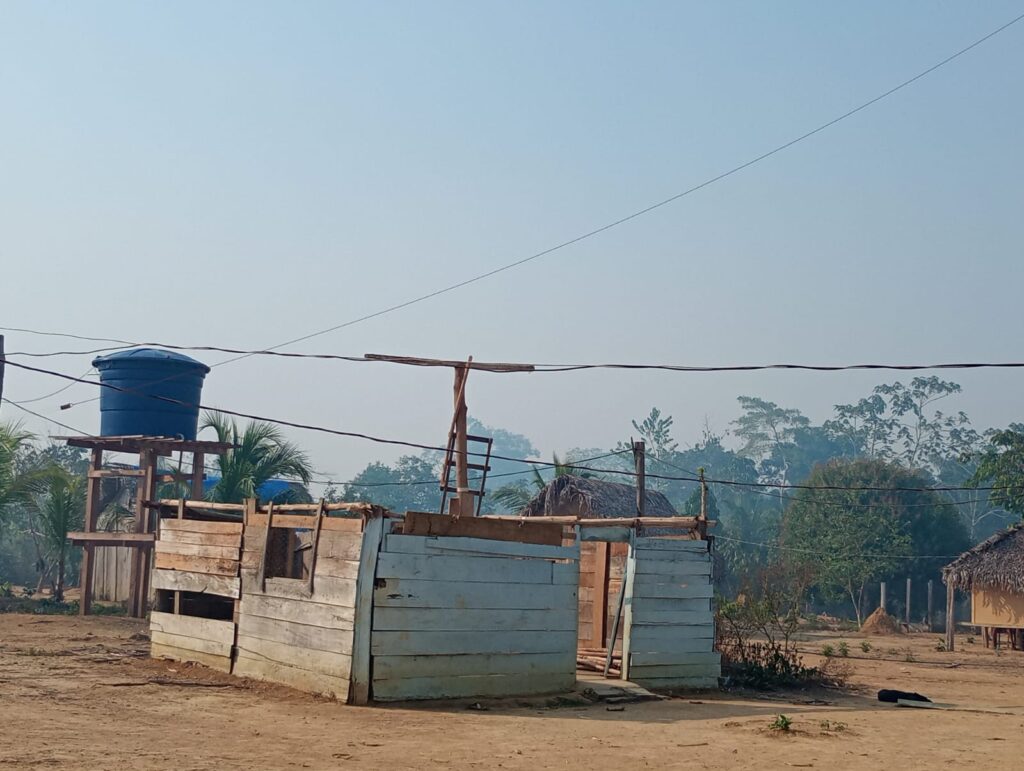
[[581, 497]]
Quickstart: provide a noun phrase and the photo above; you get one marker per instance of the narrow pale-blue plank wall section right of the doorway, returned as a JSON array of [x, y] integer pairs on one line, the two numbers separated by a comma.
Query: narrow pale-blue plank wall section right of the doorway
[[671, 625]]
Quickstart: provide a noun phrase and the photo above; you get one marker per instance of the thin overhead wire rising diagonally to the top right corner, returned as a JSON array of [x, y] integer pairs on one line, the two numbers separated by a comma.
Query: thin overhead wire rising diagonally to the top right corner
[[633, 216]]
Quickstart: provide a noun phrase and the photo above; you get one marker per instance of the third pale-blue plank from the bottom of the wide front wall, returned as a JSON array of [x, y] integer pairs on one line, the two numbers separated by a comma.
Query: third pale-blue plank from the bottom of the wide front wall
[[441, 644]]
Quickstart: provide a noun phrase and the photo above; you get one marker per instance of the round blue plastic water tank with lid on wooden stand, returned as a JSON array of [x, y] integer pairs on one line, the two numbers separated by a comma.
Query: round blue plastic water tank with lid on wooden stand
[[145, 373]]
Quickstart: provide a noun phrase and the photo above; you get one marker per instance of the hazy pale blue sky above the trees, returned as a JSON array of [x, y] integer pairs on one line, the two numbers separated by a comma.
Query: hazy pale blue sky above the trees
[[243, 174]]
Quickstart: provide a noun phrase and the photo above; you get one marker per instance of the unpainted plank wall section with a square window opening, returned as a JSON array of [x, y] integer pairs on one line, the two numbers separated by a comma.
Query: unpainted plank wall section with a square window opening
[[295, 632]]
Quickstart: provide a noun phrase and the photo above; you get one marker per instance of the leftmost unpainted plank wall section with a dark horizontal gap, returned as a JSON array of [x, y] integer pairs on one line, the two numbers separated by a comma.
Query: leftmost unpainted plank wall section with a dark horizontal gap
[[201, 558]]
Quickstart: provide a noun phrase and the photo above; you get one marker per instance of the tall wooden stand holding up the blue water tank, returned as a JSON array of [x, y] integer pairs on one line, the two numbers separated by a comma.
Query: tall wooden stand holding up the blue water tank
[[141, 540]]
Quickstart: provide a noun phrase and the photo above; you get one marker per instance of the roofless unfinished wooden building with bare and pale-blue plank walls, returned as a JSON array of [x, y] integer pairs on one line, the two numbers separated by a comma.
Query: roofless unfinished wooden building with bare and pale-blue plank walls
[[356, 603]]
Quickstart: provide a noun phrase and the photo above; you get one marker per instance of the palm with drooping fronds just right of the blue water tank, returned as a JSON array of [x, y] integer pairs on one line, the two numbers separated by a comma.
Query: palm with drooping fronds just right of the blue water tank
[[261, 453]]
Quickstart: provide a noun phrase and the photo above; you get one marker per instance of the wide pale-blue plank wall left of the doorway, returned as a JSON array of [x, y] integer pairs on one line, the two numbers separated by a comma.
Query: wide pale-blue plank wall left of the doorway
[[466, 617]]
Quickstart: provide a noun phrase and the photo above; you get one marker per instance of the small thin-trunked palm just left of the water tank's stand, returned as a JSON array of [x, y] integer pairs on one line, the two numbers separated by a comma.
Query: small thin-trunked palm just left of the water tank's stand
[[60, 506]]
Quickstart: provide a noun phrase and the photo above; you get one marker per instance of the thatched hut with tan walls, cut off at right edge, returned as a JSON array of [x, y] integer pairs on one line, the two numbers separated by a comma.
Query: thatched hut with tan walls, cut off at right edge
[[993, 573]]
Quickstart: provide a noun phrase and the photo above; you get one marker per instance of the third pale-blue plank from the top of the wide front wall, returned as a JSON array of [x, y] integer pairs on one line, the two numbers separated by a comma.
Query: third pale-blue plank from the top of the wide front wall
[[445, 594]]
